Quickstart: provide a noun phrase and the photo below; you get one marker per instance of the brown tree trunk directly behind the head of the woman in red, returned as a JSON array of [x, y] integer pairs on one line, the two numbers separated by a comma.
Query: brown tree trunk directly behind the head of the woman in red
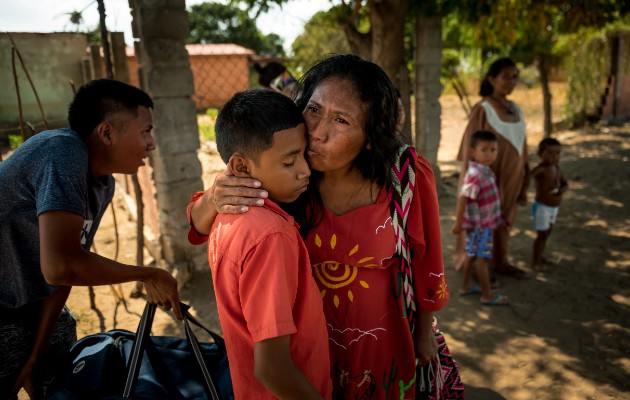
[[387, 18]]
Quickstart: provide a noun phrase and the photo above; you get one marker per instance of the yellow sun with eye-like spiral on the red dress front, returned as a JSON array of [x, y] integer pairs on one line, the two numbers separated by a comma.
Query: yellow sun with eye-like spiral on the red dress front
[[335, 275]]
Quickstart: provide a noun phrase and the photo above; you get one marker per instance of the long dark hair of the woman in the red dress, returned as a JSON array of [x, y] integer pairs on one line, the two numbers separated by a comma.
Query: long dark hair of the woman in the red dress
[[378, 95]]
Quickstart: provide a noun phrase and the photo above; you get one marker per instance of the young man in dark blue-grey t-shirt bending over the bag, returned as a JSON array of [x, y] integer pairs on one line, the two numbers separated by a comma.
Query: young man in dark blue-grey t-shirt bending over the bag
[[55, 189]]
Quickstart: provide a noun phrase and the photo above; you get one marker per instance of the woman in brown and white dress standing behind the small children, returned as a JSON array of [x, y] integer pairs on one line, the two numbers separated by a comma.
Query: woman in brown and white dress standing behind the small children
[[496, 113]]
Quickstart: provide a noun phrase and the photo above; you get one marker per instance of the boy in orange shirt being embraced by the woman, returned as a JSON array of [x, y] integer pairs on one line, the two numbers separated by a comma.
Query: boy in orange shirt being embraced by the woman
[[269, 306]]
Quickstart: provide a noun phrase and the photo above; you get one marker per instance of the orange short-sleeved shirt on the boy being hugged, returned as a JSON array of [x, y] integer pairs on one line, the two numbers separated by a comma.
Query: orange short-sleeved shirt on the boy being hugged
[[264, 289]]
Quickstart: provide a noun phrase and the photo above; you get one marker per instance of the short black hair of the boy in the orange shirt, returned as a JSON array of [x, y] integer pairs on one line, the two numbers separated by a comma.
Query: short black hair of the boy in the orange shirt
[[247, 122]]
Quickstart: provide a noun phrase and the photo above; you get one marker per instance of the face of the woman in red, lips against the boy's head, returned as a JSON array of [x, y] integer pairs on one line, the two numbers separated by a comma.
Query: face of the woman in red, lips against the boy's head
[[335, 119]]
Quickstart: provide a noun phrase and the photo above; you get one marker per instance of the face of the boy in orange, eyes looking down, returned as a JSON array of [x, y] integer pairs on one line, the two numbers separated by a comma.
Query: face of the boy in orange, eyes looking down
[[282, 169]]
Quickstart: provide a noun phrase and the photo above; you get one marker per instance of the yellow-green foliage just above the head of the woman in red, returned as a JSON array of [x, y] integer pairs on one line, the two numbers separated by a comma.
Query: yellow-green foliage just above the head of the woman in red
[[321, 36]]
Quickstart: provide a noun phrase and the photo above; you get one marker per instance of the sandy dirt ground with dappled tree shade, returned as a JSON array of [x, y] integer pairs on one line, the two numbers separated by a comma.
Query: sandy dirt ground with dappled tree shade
[[566, 334]]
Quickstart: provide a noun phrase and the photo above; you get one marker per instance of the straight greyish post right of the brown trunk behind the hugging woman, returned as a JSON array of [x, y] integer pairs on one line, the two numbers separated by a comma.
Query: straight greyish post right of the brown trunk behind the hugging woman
[[428, 70]]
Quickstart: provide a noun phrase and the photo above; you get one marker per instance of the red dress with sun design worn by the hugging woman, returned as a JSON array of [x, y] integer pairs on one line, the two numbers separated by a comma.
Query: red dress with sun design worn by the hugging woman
[[356, 268]]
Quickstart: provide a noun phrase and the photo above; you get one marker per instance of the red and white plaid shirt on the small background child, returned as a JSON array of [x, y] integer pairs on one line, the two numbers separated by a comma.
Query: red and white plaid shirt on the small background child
[[484, 205]]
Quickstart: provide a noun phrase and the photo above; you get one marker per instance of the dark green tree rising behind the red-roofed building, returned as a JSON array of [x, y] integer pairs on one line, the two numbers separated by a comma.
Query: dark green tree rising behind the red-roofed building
[[219, 23]]
